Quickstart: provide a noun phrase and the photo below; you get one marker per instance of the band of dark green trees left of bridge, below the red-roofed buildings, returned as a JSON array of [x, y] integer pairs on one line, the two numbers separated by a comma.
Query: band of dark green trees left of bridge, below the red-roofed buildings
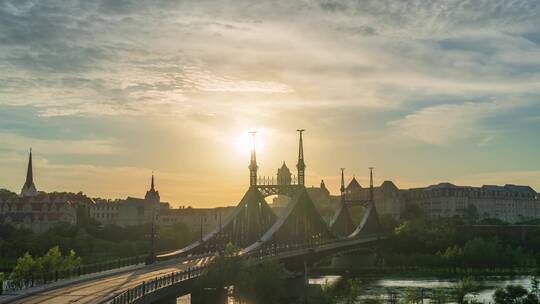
[[90, 240]]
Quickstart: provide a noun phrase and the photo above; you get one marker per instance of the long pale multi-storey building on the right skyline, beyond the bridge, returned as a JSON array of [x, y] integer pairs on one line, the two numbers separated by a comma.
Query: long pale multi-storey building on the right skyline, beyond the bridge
[[510, 203]]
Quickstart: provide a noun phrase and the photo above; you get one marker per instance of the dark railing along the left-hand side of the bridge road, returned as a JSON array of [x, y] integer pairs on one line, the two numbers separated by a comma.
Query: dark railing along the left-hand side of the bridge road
[[43, 278]]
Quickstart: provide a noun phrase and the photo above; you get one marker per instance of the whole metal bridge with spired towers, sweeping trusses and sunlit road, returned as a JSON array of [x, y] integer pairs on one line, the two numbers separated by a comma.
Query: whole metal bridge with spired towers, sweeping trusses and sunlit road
[[297, 236]]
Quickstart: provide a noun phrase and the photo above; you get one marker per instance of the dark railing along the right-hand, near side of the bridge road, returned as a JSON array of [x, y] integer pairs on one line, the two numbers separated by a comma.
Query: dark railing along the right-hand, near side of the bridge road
[[133, 294]]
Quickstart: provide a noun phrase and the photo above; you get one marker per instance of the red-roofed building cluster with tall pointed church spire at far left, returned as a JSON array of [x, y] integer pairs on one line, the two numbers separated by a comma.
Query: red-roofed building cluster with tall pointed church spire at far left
[[39, 211]]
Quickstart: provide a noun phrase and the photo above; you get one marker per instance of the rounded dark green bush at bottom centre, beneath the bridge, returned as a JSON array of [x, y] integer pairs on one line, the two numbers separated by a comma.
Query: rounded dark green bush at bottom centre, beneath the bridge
[[262, 284]]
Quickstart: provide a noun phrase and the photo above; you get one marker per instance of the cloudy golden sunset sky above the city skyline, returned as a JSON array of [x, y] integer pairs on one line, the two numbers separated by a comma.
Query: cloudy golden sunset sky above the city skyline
[[107, 92]]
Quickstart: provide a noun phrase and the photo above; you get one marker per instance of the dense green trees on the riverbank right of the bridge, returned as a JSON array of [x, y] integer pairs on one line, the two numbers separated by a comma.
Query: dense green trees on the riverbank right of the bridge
[[421, 242]]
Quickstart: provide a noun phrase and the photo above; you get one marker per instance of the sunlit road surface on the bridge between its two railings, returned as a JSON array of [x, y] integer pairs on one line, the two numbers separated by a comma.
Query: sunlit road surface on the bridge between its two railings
[[96, 290]]
